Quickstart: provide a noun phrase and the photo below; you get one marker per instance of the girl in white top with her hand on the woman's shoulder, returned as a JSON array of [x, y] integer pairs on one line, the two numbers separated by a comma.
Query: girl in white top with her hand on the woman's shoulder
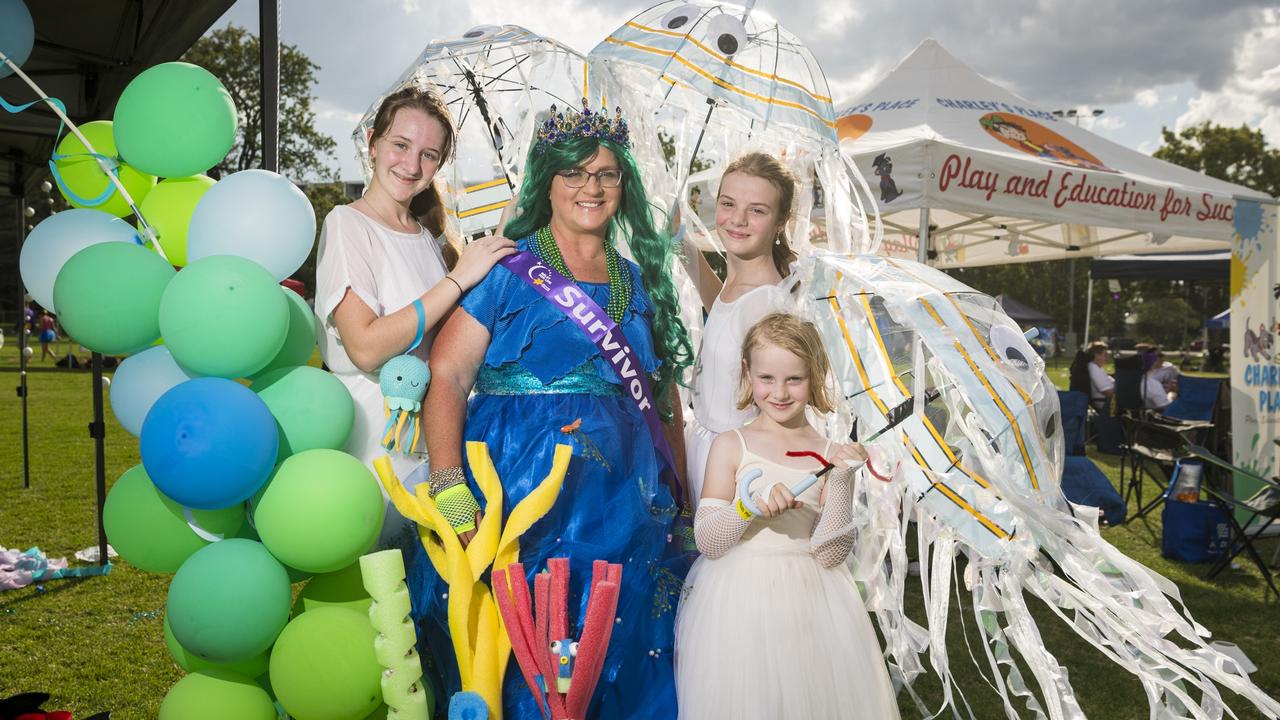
[[377, 259]]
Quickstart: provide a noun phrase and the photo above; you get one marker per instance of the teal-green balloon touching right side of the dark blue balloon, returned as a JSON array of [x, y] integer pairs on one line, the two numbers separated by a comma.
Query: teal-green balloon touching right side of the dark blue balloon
[[313, 409]]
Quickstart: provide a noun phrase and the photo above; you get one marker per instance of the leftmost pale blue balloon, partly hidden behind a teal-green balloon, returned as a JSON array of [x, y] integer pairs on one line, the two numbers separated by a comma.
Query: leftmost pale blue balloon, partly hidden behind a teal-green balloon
[[61, 236]]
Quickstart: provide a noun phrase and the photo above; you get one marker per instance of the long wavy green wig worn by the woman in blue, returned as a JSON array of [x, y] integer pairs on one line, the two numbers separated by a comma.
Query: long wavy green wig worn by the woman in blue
[[634, 221]]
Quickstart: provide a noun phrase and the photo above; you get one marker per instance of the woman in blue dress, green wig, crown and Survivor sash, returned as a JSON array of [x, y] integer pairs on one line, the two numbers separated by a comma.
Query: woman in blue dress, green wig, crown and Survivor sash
[[587, 356]]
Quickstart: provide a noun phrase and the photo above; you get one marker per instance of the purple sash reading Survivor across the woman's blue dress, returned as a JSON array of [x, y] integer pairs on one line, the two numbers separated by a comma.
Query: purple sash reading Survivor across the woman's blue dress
[[598, 326]]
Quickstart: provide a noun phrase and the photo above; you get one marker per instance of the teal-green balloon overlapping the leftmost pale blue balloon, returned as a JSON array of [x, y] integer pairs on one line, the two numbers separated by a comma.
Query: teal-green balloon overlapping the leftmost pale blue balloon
[[108, 297]]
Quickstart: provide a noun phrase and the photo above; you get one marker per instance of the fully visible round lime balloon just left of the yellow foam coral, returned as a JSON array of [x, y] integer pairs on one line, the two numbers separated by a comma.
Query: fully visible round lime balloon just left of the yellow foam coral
[[322, 511]]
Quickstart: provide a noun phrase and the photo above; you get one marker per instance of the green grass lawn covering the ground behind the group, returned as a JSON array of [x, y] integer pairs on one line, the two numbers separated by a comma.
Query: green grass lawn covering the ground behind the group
[[97, 644]]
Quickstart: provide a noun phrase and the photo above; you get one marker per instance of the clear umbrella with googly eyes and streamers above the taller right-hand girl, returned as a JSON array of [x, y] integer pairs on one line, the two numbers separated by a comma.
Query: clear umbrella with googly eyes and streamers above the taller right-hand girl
[[723, 80]]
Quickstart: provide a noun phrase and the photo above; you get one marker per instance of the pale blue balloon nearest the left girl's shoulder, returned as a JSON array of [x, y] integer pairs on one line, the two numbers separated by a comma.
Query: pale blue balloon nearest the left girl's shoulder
[[255, 215]]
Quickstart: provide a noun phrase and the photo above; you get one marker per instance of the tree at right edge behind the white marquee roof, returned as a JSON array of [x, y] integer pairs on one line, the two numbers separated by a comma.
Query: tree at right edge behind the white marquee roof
[[1238, 156]]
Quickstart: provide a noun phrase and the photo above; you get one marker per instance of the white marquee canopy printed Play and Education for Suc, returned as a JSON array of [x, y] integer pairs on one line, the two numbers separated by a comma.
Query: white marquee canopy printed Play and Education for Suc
[[998, 180]]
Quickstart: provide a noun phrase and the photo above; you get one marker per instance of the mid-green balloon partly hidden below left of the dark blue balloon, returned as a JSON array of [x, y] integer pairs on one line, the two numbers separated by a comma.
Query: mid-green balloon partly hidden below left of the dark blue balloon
[[153, 532]]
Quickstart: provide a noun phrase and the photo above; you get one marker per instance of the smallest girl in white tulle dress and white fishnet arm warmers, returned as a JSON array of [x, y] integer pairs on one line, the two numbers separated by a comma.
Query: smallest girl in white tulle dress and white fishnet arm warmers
[[772, 625]]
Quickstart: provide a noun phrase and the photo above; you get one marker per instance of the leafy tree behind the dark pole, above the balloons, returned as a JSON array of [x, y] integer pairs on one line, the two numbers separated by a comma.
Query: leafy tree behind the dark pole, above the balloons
[[232, 54]]
